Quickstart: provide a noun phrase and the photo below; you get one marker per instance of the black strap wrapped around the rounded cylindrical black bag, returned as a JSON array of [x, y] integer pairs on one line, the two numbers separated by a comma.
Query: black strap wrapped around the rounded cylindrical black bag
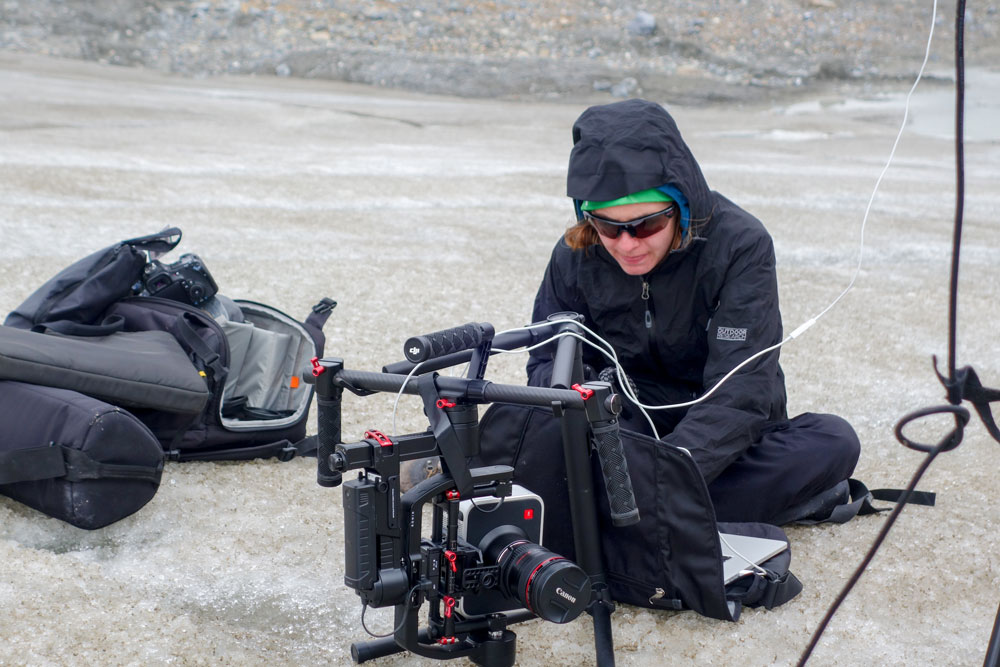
[[58, 461]]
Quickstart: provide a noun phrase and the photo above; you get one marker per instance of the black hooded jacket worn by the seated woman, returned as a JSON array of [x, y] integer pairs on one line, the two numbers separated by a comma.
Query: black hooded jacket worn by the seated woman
[[712, 303]]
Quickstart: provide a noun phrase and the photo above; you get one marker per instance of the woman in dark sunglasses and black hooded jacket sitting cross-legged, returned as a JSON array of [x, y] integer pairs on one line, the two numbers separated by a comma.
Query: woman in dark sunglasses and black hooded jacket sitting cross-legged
[[681, 282]]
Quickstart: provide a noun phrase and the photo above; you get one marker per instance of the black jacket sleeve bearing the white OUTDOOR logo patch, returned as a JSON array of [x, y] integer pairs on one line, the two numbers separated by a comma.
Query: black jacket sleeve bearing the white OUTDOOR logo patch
[[747, 320]]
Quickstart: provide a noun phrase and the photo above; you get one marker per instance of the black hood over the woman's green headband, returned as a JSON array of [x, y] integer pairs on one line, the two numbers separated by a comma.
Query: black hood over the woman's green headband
[[634, 145]]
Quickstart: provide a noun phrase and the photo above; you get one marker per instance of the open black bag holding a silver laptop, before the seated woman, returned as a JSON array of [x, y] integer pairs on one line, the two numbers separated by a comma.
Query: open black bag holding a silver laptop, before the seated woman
[[670, 559]]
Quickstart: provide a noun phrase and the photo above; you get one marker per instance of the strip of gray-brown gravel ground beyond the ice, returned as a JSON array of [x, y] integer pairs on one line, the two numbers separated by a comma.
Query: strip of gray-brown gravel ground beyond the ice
[[691, 50]]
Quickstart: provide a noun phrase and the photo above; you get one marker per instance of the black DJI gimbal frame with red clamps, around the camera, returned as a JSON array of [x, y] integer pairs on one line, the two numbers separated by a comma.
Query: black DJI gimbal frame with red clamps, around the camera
[[389, 563]]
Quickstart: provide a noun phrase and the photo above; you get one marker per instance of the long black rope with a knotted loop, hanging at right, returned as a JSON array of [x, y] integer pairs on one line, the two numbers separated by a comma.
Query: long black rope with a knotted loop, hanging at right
[[954, 388]]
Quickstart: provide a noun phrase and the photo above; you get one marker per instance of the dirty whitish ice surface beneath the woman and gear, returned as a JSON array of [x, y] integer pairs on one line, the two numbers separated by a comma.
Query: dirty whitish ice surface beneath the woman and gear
[[420, 213]]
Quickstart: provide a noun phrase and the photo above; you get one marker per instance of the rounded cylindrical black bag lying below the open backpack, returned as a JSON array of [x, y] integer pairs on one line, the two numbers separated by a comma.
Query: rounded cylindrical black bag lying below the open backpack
[[74, 457]]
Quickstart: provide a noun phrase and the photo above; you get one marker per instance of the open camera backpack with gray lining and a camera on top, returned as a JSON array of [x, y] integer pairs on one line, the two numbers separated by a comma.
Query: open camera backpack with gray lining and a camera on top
[[114, 324]]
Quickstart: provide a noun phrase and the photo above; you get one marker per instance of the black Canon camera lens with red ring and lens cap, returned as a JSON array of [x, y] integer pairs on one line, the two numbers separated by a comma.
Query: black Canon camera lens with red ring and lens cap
[[547, 584]]
